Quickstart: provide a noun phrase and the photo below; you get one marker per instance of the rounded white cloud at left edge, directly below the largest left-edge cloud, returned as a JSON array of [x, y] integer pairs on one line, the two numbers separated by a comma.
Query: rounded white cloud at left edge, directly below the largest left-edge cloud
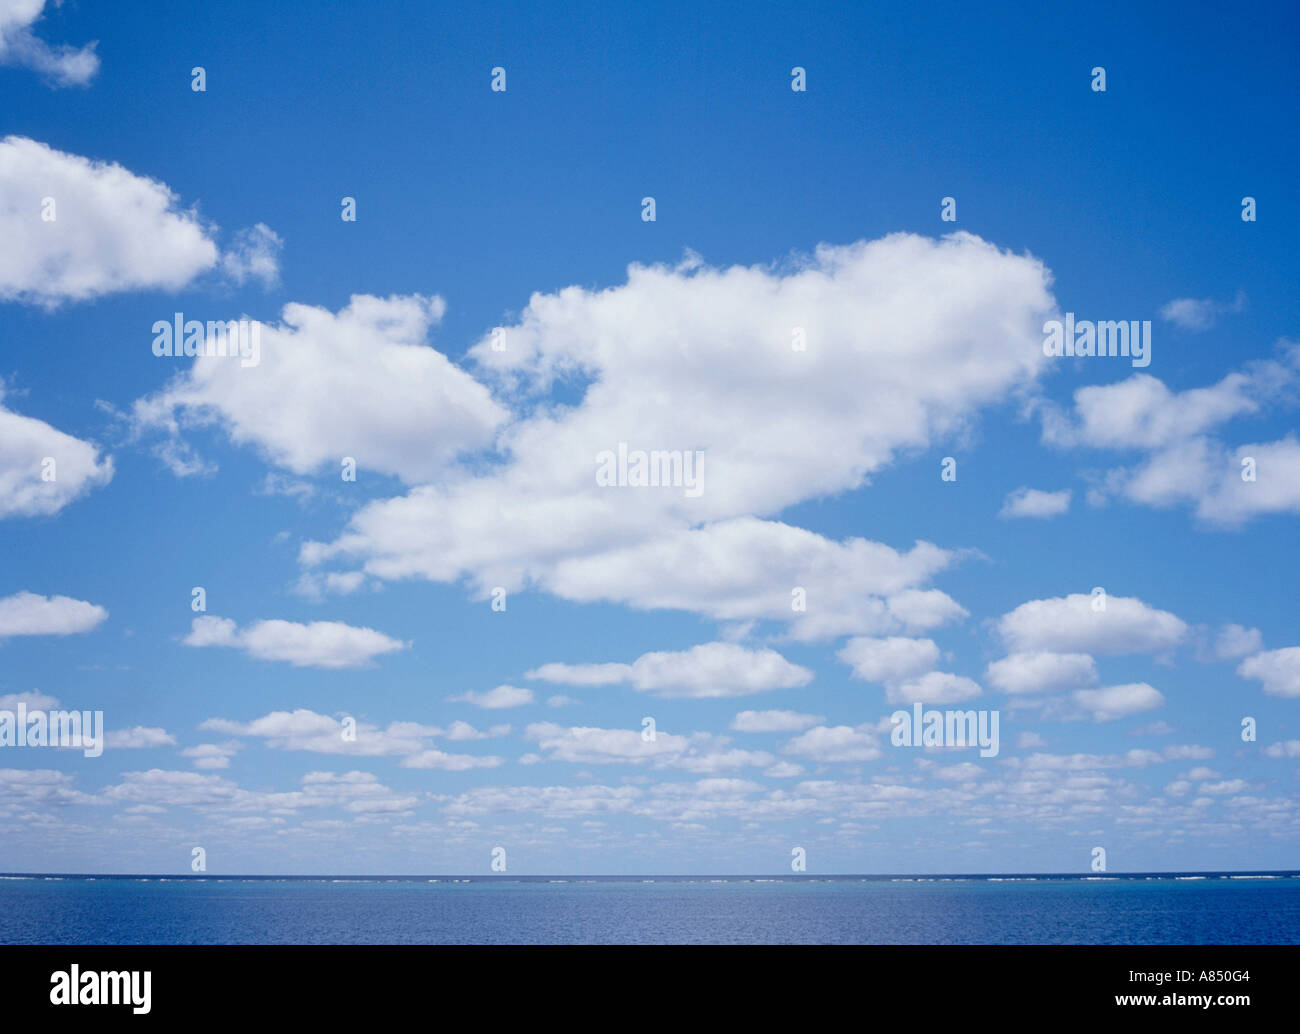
[[29, 484]]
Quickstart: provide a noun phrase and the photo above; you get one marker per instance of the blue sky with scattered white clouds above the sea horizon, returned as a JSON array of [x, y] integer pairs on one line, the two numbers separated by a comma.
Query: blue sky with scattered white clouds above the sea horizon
[[476, 469]]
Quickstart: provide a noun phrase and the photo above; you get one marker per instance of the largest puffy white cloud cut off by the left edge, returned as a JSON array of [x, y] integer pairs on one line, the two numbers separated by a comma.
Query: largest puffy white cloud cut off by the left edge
[[112, 231]]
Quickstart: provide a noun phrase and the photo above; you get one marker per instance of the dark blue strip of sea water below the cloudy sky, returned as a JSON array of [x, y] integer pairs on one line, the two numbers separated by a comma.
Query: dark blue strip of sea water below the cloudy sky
[[978, 910]]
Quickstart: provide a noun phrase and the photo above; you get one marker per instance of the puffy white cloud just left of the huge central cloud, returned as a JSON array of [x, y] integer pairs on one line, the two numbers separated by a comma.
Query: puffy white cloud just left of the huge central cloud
[[361, 383]]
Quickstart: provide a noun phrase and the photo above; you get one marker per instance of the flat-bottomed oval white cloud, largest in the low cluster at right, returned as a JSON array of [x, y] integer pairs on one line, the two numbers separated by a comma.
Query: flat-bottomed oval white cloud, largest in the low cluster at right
[[1076, 625]]
